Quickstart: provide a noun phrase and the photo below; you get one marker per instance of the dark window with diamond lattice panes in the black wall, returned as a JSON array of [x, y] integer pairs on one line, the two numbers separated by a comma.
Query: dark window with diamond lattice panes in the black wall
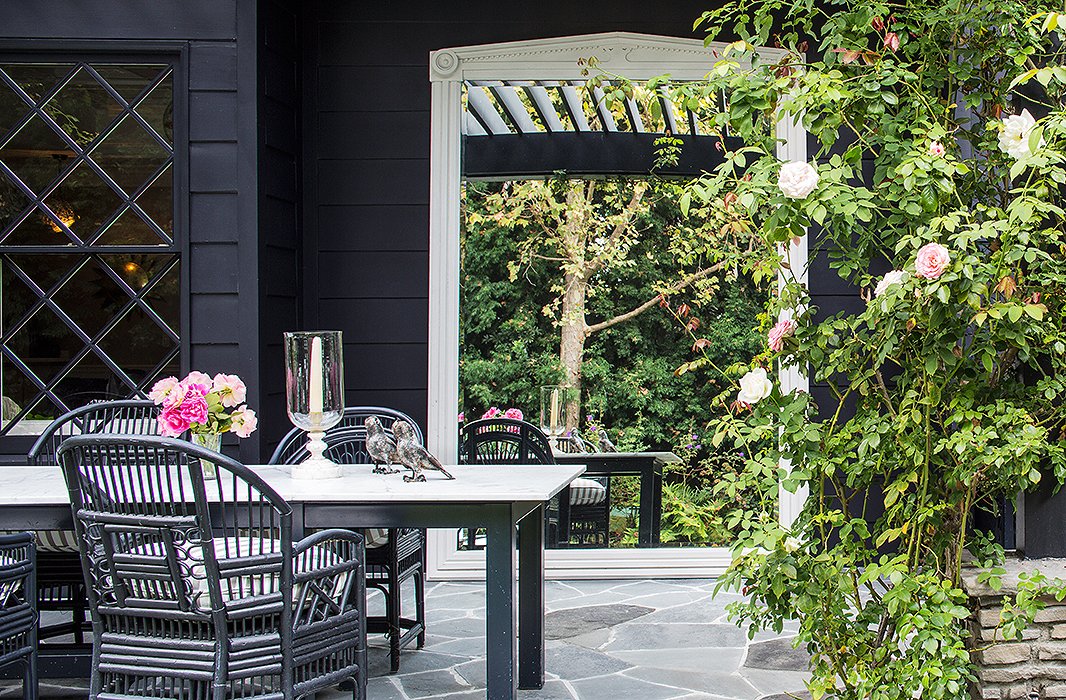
[[90, 271]]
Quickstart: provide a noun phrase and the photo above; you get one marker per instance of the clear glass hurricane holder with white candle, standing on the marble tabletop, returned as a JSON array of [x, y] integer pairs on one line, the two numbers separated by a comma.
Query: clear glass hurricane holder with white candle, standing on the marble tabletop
[[315, 390]]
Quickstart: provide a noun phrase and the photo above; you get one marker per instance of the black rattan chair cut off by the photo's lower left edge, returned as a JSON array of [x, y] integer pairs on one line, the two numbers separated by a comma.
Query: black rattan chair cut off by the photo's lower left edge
[[19, 610]]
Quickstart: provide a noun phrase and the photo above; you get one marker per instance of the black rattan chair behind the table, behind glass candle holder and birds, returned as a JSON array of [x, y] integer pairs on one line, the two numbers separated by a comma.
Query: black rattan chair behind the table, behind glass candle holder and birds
[[402, 557]]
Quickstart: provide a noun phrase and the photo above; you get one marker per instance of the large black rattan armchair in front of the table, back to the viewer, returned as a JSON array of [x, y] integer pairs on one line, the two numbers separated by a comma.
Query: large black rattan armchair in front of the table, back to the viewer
[[197, 589]]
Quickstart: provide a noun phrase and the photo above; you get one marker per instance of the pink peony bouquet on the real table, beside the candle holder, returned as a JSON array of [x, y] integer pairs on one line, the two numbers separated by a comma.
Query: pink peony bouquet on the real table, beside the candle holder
[[204, 405]]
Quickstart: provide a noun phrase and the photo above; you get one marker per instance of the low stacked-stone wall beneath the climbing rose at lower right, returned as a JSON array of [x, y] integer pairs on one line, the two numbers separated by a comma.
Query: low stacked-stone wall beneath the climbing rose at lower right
[[1032, 668]]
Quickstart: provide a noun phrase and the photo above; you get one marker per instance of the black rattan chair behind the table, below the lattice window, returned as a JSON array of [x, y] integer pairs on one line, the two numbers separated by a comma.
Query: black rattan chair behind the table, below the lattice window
[[60, 585]]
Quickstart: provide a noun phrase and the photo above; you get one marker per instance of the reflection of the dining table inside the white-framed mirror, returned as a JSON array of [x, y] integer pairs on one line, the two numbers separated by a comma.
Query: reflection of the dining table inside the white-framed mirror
[[647, 465]]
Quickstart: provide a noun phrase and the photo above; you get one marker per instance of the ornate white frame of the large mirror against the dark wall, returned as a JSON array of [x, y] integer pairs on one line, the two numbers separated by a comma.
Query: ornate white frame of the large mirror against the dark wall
[[637, 57]]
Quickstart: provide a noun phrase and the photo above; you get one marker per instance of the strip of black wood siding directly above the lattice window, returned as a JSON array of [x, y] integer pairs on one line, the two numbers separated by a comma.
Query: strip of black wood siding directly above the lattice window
[[121, 20]]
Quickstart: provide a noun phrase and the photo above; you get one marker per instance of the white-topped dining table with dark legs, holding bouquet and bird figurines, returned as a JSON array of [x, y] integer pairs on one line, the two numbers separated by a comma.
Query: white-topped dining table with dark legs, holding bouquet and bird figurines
[[508, 501]]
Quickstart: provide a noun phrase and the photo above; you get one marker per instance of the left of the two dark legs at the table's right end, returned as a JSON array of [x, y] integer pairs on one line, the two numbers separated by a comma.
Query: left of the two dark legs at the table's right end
[[502, 609]]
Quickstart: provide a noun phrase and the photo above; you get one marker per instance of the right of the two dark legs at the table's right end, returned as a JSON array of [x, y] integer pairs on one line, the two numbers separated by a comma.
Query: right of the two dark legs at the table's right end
[[531, 600]]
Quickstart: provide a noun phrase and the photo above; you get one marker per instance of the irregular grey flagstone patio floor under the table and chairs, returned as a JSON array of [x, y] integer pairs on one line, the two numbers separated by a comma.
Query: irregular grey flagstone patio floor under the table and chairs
[[606, 640]]
